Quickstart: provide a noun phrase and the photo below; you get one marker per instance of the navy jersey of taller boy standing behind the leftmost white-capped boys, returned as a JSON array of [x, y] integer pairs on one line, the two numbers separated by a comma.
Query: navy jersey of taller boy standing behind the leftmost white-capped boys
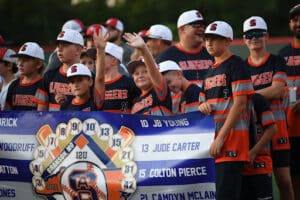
[[54, 81]]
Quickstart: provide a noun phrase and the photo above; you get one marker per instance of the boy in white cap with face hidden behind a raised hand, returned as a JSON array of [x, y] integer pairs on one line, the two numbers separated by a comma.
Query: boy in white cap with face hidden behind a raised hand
[[120, 90]]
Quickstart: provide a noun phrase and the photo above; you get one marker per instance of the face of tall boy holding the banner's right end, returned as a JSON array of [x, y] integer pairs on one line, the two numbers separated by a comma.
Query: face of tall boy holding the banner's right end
[[216, 45]]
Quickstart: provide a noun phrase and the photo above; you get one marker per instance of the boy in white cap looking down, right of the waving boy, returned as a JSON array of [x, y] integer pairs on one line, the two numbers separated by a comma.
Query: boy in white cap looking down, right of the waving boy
[[179, 85]]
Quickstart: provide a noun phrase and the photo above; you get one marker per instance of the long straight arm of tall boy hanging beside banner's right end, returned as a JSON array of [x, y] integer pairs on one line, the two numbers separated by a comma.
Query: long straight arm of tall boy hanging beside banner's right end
[[239, 104]]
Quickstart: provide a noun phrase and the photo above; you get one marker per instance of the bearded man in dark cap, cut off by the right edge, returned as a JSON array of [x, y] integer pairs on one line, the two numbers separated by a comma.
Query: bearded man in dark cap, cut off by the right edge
[[291, 54]]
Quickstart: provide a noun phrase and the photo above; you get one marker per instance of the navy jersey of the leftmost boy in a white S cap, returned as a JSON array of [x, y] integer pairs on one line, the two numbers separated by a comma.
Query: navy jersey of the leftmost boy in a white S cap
[[20, 96]]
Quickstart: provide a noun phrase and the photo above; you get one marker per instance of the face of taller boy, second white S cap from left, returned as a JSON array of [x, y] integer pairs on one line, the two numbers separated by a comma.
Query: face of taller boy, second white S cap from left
[[68, 52]]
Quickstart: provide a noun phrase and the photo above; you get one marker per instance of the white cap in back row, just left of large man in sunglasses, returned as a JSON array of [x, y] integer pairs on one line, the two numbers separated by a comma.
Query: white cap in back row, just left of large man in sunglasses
[[159, 31]]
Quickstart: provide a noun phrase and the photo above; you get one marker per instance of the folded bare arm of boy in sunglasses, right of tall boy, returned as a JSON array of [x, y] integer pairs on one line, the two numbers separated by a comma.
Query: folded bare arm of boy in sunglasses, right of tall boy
[[275, 91]]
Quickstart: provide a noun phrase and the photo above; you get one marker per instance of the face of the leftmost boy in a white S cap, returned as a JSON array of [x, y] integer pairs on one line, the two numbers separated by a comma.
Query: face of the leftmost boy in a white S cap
[[28, 66]]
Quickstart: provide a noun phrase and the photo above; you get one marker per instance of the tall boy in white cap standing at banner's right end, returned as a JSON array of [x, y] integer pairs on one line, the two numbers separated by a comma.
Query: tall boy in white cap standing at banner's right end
[[226, 94]]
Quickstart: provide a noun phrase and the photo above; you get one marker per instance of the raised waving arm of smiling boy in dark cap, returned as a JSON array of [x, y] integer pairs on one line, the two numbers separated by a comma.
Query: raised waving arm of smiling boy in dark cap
[[137, 42]]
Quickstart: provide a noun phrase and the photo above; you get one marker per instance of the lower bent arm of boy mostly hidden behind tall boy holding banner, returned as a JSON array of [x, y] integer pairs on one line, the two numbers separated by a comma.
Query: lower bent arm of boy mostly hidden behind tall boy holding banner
[[269, 132]]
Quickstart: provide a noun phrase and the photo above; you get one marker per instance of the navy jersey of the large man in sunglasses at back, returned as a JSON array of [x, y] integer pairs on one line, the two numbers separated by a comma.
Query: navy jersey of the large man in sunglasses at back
[[193, 64]]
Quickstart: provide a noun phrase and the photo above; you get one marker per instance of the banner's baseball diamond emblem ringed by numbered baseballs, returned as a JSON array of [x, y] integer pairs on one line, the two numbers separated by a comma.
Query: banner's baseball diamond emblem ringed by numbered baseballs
[[84, 160]]
